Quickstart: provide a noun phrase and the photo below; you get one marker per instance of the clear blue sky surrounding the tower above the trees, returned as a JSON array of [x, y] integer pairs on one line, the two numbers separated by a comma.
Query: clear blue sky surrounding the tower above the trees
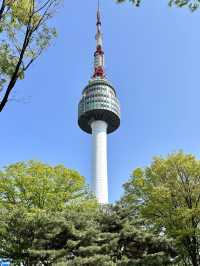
[[153, 60]]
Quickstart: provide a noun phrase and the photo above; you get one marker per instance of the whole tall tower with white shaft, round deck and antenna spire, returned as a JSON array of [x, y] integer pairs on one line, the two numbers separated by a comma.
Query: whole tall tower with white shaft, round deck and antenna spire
[[99, 115]]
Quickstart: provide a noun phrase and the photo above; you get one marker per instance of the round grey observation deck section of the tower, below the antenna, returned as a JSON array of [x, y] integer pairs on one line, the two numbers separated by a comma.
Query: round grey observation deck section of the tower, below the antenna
[[99, 102]]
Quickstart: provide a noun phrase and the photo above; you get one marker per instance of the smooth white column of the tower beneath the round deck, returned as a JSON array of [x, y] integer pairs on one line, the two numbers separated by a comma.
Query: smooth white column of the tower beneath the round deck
[[99, 161]]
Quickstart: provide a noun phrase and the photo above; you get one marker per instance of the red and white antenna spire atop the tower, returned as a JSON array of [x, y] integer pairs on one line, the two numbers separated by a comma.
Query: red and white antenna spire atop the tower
[[99, 54]]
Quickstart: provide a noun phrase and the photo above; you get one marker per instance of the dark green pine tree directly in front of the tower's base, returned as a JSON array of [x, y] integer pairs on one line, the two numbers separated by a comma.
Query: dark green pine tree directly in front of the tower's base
[[115, 240]]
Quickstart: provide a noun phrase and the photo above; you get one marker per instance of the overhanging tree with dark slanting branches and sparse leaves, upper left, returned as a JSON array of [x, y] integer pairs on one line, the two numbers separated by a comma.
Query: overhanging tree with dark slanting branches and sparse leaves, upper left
[[25, 34]]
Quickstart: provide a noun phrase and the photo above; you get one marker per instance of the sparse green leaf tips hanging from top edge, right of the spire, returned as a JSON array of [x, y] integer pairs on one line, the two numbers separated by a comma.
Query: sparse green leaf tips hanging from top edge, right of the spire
[[191, 4]]
